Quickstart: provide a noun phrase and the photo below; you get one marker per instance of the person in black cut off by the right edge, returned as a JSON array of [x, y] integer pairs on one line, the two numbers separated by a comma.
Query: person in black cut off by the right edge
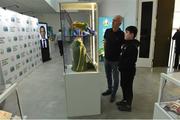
[[176, 37]]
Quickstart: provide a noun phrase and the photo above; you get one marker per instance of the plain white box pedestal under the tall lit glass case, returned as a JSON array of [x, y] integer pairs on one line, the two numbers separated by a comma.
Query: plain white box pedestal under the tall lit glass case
[[82, 93]]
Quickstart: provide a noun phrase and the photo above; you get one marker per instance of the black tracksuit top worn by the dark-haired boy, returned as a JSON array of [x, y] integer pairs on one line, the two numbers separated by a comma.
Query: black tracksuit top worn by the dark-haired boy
[[128, 55]]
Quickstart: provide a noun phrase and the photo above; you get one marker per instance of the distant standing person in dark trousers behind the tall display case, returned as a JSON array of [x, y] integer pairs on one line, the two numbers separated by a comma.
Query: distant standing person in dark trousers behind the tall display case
[[60, 42]]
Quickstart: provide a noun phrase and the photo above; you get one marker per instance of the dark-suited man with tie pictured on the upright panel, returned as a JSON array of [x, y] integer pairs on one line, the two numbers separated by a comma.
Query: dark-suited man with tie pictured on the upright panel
[[44, 45]]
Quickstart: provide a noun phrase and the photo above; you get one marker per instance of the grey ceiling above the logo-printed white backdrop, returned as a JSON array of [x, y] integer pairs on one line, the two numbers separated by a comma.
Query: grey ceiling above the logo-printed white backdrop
[[28, 7]]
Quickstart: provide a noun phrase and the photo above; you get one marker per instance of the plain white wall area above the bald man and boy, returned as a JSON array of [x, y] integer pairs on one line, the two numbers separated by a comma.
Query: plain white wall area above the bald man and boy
[[125, 8]]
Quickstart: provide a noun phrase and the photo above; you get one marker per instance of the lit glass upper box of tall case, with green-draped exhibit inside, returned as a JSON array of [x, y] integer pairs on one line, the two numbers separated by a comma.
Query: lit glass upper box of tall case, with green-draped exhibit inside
[[79, 29]]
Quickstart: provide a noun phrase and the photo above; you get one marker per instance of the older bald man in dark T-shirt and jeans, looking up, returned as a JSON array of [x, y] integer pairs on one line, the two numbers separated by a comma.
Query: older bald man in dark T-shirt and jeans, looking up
[[113, 39]]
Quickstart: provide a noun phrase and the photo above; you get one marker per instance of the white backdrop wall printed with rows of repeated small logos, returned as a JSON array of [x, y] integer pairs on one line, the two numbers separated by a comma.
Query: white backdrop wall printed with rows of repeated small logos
[[19, 45]]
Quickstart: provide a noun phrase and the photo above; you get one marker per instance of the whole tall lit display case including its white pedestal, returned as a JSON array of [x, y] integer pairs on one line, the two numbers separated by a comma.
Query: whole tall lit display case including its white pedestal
[[81, 74]]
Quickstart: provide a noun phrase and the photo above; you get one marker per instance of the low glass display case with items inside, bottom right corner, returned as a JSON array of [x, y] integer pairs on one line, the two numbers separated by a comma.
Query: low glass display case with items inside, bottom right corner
[[168, 105]]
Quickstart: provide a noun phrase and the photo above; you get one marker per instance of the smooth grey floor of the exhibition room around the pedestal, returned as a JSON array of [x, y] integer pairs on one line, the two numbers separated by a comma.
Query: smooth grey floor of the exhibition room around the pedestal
[[42, 93]]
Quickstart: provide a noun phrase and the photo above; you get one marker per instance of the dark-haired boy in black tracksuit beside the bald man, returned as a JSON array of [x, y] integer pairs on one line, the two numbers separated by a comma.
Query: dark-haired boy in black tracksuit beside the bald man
[[127, 67]]
